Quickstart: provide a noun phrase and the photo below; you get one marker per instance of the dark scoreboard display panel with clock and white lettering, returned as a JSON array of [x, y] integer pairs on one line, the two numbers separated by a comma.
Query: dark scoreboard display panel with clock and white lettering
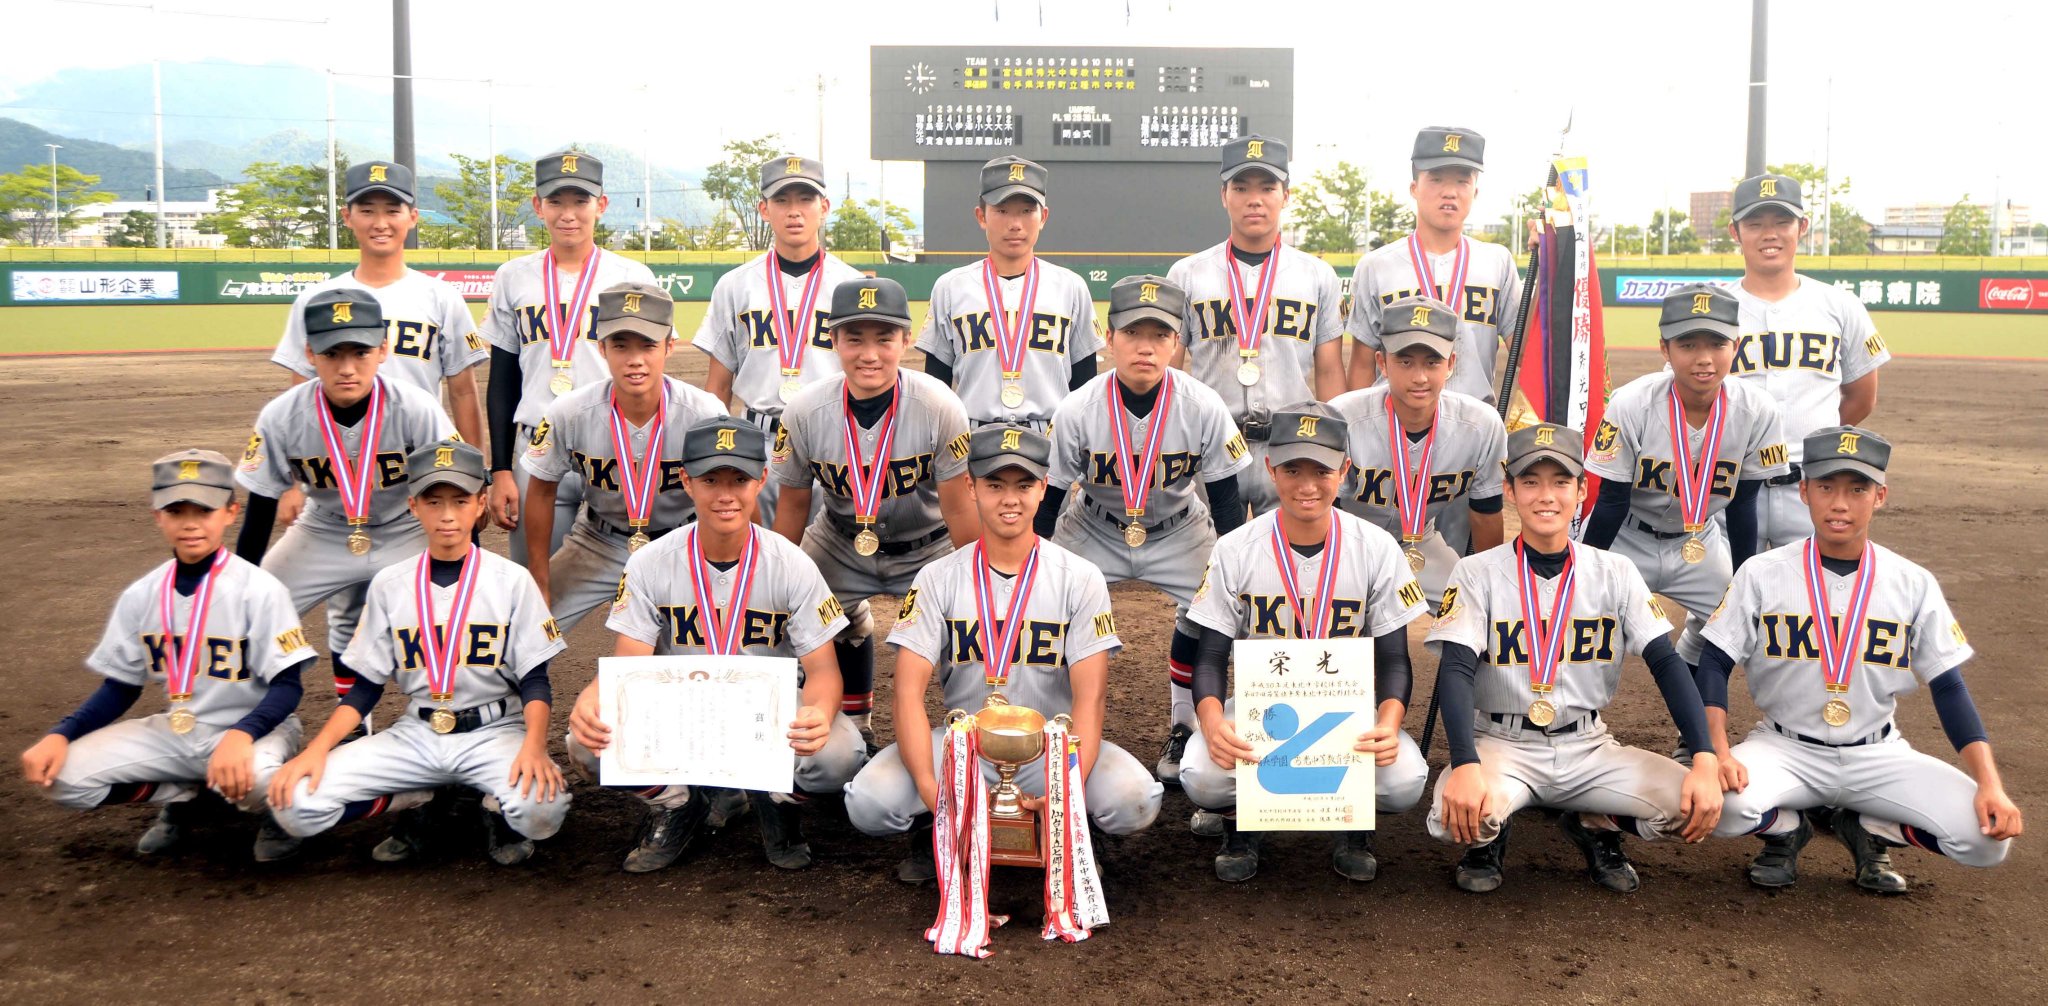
[[1074, 103]]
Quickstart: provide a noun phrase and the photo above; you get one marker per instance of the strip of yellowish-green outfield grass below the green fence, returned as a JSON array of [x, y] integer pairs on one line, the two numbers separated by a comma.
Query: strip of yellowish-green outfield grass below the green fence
[[142, 329]]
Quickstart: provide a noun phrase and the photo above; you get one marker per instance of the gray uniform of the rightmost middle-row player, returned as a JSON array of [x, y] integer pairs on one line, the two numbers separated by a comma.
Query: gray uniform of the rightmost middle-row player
[[1633, 446]]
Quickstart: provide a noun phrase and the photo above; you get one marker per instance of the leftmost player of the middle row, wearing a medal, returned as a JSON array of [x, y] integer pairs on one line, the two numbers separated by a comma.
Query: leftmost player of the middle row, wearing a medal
[[345, 435]]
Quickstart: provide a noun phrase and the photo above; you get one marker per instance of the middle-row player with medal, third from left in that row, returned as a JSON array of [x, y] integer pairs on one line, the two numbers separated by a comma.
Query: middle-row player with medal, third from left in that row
[[890, 452]]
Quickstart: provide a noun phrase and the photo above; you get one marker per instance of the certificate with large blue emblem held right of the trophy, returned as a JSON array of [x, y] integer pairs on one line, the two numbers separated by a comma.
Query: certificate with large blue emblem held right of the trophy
[[1302, 706]]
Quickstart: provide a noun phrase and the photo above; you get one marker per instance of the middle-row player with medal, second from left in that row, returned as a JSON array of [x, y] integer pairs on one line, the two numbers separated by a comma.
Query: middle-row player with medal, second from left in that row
[[624, 437]]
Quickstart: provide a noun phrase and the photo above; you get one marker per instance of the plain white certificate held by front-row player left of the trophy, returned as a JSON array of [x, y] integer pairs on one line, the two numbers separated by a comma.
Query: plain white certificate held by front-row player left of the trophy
[[699, 720]]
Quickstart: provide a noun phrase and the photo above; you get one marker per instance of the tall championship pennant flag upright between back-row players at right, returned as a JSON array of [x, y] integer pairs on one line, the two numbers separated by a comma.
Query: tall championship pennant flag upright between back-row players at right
[[1564, 370]]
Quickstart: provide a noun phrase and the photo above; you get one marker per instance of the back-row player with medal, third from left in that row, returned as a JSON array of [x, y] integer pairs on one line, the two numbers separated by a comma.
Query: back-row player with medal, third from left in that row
[[767, 331]]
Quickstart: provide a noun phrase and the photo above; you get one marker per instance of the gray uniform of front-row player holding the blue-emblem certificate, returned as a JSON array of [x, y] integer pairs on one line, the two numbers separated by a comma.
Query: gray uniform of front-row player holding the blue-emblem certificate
[[1244, 597]]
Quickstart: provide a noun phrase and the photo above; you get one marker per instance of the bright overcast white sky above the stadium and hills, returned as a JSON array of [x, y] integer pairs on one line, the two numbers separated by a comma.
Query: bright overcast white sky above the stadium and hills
[[1930, 101]]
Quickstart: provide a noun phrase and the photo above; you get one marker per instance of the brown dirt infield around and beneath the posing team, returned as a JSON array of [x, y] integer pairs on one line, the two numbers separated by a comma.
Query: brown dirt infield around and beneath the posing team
[[83, 919]]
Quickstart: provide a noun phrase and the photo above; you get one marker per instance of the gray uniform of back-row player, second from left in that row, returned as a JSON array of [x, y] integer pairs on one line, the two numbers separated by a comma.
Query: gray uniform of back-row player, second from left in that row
[[519, 321]]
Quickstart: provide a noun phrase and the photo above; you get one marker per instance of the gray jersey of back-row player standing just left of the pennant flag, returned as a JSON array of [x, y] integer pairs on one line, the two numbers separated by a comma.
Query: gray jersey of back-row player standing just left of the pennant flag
[[1488, 304]]
